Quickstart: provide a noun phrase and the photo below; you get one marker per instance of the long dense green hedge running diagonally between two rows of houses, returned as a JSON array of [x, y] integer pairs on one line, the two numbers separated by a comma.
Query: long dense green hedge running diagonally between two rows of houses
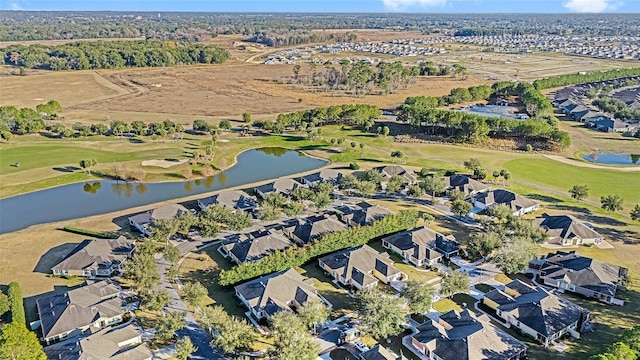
[[328, 243]]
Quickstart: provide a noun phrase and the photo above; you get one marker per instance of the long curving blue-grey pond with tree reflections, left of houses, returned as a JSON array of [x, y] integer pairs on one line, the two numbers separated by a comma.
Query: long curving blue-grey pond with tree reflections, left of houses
[[103, 196]]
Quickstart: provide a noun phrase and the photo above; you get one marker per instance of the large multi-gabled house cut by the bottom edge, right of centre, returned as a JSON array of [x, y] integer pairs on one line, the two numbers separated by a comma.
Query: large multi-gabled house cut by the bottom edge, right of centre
[[465, 336]]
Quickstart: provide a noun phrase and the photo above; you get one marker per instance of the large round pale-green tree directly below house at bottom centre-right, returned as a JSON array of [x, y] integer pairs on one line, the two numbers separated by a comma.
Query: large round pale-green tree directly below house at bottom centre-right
[[381, 315]]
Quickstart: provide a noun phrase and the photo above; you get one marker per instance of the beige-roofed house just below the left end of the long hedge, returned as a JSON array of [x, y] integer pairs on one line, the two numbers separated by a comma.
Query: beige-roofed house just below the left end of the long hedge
[[285, 290]]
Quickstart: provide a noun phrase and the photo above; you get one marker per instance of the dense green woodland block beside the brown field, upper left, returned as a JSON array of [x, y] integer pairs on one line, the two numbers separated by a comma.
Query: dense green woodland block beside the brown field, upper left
[[112, 55]]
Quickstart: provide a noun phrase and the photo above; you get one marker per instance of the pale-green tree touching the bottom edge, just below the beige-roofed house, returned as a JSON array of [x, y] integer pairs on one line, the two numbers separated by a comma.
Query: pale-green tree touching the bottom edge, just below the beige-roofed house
[[292, 341]]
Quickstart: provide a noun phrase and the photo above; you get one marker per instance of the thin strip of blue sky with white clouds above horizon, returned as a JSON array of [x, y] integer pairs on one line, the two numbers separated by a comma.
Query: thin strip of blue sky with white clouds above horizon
[[508, 6]]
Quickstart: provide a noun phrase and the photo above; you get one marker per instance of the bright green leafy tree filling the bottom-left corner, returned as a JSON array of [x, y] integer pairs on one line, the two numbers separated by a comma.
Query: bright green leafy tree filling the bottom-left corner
[[18, 343]]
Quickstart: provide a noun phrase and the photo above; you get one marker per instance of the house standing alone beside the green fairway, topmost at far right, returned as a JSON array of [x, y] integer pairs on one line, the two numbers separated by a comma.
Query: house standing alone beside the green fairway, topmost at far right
[[566, 230]]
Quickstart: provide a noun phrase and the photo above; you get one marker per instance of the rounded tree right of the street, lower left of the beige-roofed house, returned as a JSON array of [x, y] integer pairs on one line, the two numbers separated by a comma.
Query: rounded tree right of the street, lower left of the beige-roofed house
[[233, 334]]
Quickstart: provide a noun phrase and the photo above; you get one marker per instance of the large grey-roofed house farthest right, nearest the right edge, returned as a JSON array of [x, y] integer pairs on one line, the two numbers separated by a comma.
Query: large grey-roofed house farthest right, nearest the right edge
[[569, 271]]
